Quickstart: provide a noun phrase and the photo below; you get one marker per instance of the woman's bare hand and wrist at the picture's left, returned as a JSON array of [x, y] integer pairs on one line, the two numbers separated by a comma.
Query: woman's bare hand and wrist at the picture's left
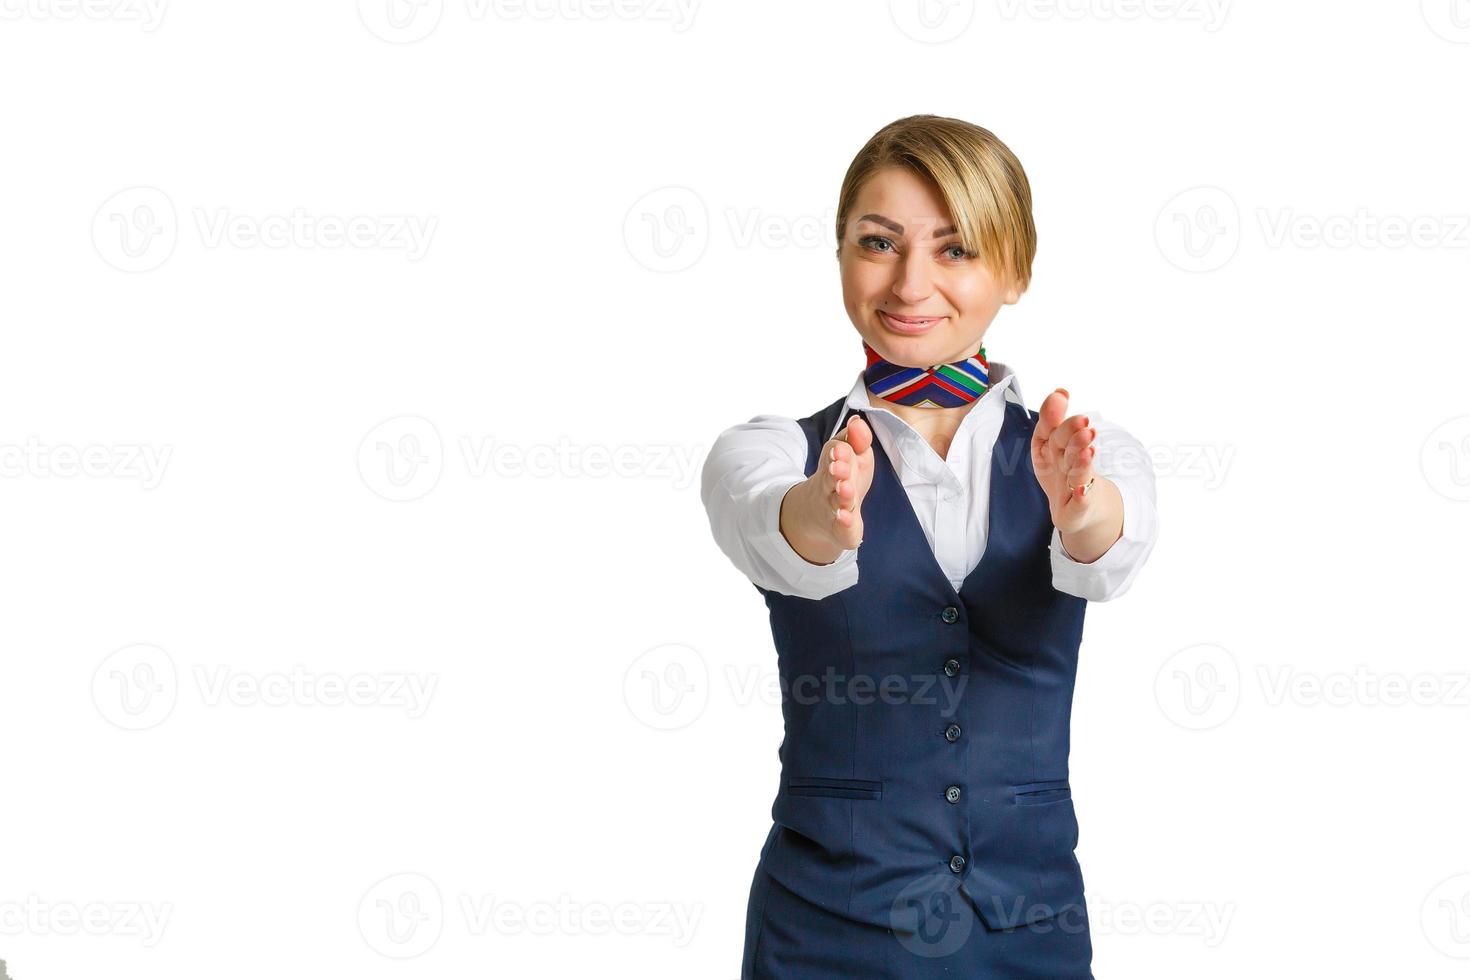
[[824, 516]]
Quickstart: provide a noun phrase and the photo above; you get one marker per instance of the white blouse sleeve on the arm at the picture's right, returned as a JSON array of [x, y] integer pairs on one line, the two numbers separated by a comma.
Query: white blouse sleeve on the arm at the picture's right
[[1124, 461]]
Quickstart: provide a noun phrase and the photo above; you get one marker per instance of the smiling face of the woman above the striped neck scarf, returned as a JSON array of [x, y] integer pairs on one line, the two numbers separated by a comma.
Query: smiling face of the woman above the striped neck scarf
[[902, 256]]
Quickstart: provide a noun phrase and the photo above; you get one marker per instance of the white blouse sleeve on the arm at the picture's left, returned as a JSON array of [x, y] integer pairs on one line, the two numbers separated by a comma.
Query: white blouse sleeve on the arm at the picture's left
[[746, 475]]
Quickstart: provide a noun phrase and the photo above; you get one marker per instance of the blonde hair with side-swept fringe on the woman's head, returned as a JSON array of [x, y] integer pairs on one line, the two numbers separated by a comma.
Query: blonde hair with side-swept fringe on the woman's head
[[978, 177]]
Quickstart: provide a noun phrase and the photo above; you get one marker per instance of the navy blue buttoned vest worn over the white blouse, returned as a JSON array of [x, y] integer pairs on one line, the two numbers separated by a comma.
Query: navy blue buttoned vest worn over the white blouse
[[927, 731]]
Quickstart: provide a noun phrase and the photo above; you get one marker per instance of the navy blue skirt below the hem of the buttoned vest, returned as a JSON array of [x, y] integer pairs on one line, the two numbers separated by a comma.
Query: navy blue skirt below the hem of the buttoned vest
[[789, 938]]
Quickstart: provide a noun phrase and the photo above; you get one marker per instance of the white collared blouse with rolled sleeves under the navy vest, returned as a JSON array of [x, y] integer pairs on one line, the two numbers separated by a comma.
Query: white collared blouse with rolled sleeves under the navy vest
[[753, 465]]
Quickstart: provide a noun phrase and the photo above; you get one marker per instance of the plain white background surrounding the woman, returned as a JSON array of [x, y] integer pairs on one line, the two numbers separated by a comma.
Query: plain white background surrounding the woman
[[625, 248]]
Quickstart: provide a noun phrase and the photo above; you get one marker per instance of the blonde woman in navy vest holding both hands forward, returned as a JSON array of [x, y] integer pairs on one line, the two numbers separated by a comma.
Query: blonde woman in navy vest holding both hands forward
[[927, 549]]
